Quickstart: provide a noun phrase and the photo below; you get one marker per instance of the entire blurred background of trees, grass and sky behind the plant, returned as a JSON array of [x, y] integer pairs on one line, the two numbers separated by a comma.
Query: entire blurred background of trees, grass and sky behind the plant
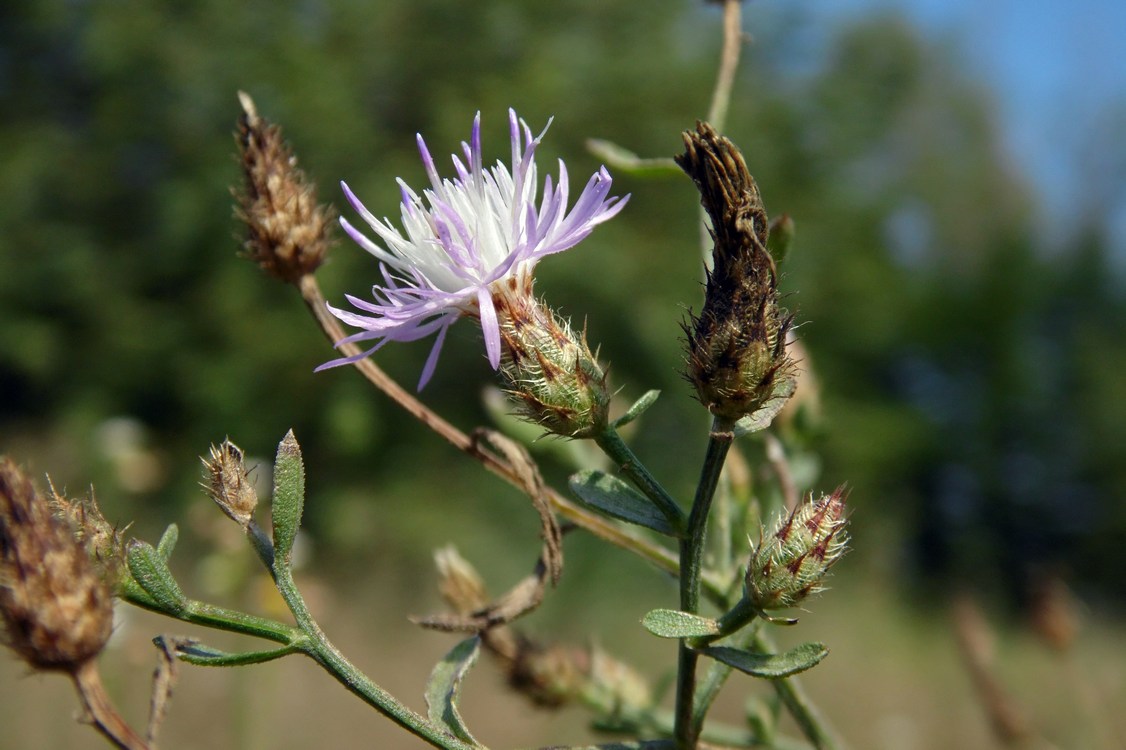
[[962, 291]]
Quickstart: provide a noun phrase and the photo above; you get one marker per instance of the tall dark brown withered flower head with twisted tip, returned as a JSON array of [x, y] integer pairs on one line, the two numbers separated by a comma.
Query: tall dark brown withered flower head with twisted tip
[[737, 346]]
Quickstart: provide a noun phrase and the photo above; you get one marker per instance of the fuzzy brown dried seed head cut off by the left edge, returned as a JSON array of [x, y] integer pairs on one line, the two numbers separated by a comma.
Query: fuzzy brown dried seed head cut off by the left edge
[[57, 609]]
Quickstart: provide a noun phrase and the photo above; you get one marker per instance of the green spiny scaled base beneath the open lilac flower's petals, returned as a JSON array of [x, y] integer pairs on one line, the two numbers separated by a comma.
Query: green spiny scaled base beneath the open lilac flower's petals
[[550, 373]]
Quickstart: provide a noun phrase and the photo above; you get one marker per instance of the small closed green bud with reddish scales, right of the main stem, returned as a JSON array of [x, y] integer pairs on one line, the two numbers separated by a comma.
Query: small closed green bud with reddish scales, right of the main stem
[[791, 564]]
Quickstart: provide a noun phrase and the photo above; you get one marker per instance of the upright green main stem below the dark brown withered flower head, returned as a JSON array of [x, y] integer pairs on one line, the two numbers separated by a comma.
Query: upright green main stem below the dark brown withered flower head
[[692, 564]]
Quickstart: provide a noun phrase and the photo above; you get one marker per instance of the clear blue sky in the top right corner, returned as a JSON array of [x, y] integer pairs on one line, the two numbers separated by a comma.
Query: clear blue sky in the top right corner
[[1058, 70]]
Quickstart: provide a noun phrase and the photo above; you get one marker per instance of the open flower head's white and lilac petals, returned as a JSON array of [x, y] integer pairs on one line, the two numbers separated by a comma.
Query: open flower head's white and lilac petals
[[468, 242]]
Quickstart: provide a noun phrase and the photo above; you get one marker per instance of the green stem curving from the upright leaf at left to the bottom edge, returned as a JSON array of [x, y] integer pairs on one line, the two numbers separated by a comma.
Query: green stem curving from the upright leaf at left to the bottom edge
[[325, 654]]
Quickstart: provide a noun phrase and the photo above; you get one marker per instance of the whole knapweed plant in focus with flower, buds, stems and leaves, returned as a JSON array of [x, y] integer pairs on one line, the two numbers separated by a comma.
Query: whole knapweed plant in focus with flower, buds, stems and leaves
[[467, 247]]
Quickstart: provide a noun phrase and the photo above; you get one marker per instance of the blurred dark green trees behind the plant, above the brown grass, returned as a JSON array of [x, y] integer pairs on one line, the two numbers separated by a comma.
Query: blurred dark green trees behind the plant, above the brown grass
[[971, 380]]
